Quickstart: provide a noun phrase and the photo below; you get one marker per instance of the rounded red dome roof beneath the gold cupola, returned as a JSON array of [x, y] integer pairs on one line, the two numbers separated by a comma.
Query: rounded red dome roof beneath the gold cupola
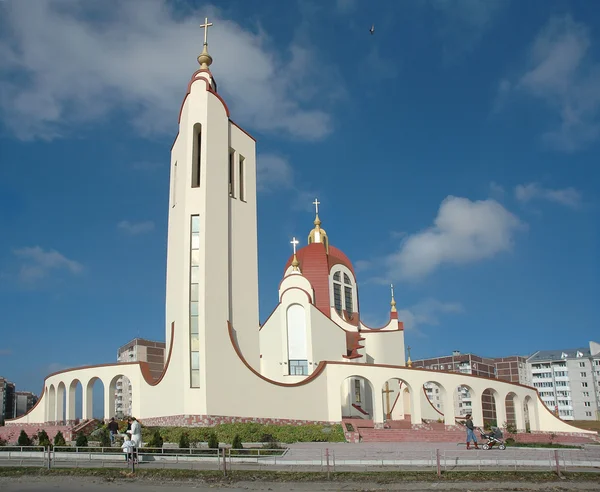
[[315, 264]]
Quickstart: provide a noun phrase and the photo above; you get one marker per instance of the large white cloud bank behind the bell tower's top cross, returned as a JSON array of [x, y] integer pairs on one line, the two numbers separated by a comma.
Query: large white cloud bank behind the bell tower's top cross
[[69, 63]]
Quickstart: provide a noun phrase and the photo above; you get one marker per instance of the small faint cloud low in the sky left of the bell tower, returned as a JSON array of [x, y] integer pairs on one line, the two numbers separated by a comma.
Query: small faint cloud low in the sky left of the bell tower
[[37, 263]]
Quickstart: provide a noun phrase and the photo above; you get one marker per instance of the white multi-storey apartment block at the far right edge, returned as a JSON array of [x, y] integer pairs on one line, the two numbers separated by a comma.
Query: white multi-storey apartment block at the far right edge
[[568, 381]]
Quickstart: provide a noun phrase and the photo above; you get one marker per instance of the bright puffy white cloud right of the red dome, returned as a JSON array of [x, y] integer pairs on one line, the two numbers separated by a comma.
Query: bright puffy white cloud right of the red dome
[[463, 232]]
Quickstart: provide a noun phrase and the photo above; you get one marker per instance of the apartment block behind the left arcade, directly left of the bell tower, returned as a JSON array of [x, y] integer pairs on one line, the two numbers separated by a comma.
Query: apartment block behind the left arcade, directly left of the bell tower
[[138, 349]]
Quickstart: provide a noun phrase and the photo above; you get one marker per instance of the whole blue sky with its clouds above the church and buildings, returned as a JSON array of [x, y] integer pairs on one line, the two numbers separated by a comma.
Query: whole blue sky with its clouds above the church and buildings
[[454, 152]]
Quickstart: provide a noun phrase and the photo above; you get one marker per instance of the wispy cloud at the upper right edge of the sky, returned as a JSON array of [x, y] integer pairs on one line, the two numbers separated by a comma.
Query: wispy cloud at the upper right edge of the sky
[[561, 72]]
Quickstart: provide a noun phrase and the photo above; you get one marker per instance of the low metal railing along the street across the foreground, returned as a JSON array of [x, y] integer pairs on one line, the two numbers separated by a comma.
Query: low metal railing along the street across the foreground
[[305, 458]]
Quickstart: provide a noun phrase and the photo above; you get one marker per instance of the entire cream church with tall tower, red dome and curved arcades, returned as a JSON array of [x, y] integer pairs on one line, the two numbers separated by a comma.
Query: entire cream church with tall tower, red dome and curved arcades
[[313, 360]]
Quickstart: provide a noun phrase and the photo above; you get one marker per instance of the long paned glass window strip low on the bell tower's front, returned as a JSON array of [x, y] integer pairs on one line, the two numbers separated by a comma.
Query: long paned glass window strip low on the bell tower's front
[[194, 302]]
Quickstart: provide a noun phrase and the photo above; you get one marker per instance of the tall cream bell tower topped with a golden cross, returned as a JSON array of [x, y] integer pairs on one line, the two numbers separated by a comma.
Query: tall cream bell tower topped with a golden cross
[[212, 257]]
